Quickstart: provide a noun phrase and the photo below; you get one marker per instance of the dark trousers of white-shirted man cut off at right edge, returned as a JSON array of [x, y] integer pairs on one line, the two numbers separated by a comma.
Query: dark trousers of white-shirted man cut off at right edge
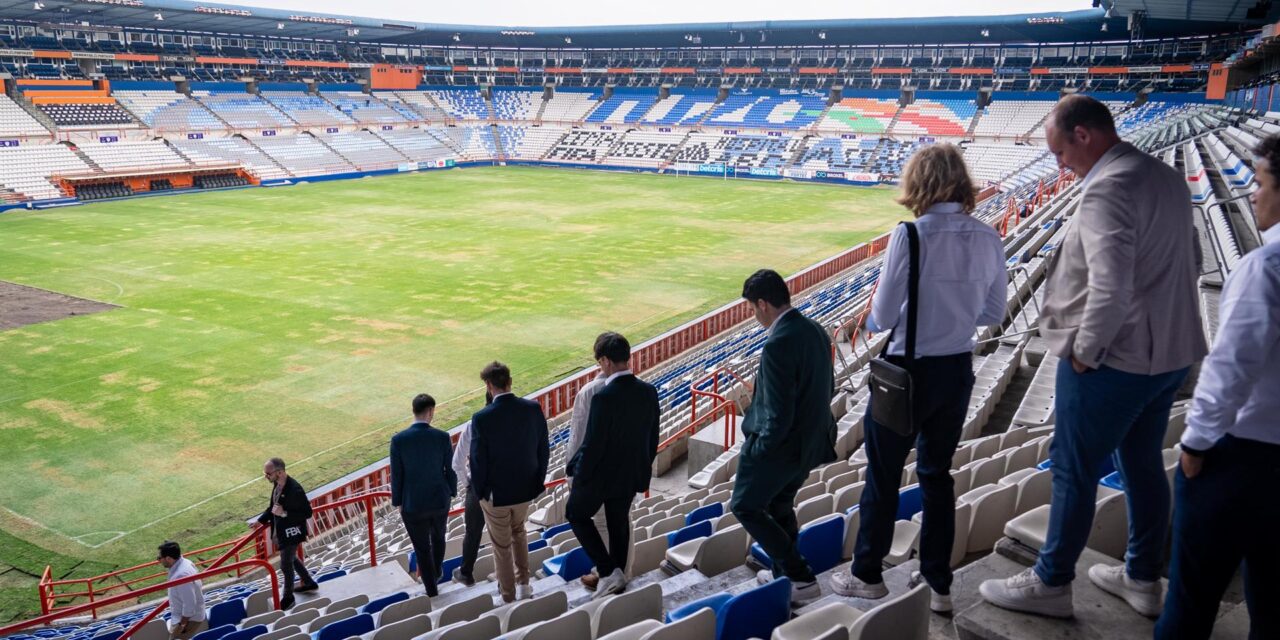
[[1226, 515]]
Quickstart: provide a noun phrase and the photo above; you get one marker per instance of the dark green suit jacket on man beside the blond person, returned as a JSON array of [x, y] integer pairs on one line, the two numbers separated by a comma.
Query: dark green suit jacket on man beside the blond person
[[789, 422]]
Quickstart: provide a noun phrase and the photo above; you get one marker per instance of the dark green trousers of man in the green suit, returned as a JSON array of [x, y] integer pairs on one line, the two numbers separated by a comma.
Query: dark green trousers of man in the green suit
[[764, 501]]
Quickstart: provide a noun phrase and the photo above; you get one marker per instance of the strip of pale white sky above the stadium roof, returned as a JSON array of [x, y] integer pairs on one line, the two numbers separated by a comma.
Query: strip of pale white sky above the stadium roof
[[580, 13]]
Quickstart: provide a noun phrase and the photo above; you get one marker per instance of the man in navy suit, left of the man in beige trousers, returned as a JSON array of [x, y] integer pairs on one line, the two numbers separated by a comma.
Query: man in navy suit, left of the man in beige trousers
[[423, 487]]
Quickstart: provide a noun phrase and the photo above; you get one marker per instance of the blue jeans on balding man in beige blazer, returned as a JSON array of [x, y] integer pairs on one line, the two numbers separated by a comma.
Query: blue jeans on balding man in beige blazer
[[1101, 414]]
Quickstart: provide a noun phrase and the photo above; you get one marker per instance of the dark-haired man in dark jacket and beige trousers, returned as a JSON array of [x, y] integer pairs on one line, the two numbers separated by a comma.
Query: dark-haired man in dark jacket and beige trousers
[[510, 454]]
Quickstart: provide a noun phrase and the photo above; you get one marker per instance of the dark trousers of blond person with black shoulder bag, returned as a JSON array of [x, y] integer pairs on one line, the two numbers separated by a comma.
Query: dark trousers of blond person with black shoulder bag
[[941, 390]]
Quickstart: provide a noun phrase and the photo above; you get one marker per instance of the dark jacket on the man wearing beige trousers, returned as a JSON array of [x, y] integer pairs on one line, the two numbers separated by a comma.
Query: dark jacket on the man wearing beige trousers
[[510, 451]]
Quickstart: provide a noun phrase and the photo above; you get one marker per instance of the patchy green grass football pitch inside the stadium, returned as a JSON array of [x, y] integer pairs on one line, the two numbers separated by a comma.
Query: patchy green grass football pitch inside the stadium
[[299, 322]]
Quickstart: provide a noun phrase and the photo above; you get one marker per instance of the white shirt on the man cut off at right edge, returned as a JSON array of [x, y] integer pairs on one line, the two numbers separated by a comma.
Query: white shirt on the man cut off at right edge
[[1238, 392]]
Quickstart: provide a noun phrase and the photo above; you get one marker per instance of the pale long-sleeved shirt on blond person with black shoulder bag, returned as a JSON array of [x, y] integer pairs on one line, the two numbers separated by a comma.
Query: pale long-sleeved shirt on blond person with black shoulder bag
[[963, 284]]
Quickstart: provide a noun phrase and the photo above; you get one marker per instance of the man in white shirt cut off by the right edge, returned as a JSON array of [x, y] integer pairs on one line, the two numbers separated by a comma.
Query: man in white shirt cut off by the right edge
[[1226, 506]]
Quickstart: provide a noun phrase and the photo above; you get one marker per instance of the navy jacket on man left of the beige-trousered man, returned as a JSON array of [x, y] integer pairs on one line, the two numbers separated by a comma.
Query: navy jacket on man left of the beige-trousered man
[[423, 478]]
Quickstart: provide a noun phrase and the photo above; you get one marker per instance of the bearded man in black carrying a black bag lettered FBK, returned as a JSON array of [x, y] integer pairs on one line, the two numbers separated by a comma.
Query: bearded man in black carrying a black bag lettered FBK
[[287, 514]]
